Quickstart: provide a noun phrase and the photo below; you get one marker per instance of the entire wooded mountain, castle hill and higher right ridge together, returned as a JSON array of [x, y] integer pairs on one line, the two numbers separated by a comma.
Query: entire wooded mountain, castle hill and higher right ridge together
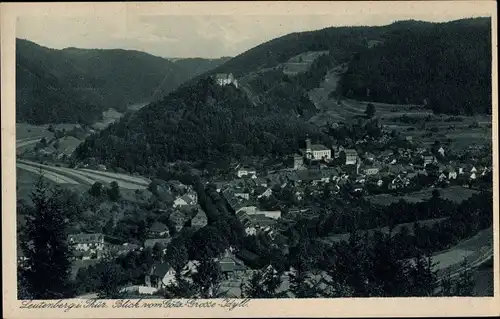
[[406, 61]]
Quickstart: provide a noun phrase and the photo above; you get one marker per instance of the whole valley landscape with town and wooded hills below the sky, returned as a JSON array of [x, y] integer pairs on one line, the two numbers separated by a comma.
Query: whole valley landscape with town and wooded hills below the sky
[[342, 162]]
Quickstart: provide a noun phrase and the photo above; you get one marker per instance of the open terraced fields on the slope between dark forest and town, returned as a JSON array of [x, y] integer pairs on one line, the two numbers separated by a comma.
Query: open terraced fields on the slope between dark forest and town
[[424, 126]]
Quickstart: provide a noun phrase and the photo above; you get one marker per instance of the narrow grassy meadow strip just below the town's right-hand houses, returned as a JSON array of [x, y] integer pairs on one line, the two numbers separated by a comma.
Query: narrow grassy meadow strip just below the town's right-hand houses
[[453, 193]]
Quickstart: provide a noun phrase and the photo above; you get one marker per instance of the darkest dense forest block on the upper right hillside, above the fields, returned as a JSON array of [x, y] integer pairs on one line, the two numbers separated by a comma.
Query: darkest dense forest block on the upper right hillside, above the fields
[[446, 66]]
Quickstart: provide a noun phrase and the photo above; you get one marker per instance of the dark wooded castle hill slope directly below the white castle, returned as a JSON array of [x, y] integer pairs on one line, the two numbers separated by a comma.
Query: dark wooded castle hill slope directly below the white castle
[[201, 122]]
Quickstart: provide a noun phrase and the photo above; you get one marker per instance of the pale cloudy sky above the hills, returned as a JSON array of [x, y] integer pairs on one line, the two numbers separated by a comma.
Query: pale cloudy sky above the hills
[[199, 35]]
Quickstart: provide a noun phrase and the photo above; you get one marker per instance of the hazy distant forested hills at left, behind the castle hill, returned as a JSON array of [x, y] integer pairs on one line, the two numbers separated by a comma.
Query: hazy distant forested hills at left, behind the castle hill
[[75, 85]]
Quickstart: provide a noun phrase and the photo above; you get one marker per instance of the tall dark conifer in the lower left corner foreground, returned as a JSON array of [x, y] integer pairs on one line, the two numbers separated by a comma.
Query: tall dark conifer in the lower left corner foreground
[[44, 243]]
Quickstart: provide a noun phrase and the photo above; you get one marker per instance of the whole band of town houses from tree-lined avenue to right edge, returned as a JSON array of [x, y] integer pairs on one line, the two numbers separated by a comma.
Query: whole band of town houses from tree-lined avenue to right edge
[[390, 169]]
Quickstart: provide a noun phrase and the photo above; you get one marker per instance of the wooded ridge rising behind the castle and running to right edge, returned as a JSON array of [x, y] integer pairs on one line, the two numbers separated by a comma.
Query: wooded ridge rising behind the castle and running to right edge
[[446, 64]]
